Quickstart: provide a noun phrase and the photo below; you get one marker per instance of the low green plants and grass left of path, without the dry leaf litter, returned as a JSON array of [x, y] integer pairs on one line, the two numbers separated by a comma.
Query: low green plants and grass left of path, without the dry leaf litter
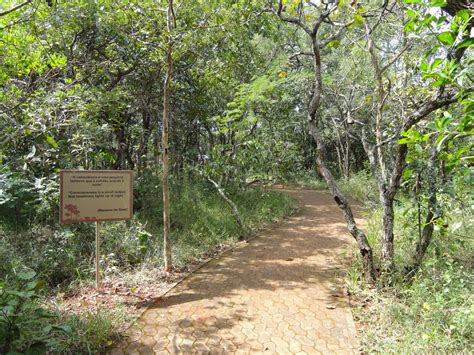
[[202, 224]]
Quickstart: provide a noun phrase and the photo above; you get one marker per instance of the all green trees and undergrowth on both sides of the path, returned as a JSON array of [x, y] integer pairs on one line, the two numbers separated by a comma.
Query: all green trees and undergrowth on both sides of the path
[[205, 99]]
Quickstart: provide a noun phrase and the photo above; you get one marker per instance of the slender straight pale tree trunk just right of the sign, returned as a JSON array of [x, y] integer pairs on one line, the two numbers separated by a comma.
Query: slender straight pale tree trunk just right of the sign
[[165, 139]]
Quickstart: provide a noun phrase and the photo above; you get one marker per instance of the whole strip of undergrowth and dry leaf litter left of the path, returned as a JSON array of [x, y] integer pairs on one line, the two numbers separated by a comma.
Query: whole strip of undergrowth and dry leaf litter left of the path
[[47, 272]]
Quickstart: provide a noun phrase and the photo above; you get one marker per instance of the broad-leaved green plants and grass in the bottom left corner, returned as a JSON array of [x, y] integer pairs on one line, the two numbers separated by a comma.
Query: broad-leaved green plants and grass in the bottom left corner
[[28, 326]]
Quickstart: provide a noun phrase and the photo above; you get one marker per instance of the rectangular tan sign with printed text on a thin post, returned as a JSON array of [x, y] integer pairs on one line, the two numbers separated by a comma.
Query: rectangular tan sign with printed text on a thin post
[[94, 196]]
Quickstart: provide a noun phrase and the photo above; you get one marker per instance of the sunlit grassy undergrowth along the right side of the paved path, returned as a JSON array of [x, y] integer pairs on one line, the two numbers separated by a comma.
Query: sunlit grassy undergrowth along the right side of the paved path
[[433, 312]]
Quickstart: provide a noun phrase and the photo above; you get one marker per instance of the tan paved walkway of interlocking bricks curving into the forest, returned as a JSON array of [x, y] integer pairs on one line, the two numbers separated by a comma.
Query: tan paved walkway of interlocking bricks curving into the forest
[[277, 294]]
